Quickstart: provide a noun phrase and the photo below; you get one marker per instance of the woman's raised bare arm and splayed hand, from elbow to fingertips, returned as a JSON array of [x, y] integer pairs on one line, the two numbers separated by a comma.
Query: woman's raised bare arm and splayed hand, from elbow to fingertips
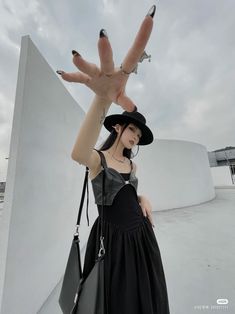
[[108, 83]]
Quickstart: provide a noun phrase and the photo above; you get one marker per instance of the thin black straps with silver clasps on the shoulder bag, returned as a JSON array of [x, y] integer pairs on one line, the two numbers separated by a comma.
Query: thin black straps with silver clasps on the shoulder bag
[[84, 189]]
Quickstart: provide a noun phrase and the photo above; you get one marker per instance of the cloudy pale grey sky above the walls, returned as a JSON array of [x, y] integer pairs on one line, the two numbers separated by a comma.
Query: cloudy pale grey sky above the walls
[[187, 90]]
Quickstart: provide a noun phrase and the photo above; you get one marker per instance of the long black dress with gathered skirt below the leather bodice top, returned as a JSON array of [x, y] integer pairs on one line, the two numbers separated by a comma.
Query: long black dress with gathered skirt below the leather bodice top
[[134, 276]]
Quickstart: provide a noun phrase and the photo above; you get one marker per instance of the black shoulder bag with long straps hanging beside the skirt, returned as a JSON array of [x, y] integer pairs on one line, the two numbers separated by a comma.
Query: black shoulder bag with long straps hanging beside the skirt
[[81, 295]]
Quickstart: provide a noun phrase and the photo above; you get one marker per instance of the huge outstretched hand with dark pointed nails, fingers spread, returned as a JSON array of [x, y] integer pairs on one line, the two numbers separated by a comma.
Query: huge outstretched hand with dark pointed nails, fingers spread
[[108, 81]]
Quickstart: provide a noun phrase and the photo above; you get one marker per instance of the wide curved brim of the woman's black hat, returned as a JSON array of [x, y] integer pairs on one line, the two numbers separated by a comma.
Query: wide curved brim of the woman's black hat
[[147, 135]]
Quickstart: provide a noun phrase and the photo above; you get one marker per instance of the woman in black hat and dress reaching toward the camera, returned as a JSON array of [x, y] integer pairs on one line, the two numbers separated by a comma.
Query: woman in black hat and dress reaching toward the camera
[[134, 275]]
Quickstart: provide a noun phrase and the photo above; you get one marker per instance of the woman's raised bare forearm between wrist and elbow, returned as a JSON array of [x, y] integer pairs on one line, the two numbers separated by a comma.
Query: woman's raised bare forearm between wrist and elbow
[[90, 129]]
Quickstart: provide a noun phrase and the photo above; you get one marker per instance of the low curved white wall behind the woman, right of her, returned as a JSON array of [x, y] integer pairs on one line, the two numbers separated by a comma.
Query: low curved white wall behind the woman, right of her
[[174, 174]]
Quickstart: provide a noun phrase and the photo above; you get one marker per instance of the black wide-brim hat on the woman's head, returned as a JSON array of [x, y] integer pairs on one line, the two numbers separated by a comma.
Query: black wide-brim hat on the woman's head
[[134, 117]]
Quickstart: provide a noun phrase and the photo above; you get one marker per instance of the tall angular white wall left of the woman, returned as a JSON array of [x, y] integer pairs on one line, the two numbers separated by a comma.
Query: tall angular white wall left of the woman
[[43, 187]]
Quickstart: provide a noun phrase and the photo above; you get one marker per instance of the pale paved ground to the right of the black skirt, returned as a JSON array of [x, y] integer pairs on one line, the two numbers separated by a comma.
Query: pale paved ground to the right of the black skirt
[[198, 253]]
